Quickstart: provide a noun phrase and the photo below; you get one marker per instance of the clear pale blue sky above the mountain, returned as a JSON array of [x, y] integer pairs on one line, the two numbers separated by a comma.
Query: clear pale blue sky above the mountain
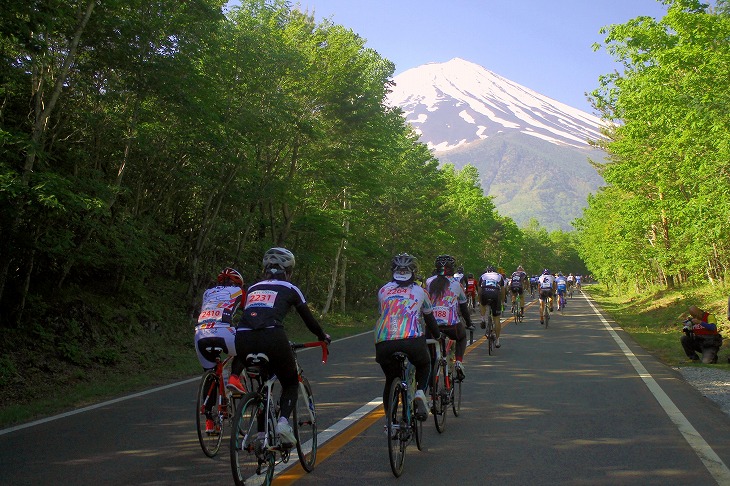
[[544, 45]]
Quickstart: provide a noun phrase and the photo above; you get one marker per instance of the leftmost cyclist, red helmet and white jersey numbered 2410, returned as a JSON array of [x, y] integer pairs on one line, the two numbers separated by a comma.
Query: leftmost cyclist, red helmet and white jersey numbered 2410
[[215, 326]]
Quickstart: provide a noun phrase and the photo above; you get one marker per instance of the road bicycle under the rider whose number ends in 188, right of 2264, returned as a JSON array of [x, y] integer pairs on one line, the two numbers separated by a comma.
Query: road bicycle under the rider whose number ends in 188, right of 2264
[[445, 386]]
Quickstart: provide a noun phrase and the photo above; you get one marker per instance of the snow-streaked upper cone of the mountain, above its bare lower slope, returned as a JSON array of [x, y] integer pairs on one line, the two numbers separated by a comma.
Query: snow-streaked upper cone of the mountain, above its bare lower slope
[[458, 102]]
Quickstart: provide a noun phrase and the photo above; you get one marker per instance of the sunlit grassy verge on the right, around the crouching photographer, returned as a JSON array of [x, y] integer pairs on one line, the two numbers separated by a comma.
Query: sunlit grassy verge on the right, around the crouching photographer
[[654, 319]]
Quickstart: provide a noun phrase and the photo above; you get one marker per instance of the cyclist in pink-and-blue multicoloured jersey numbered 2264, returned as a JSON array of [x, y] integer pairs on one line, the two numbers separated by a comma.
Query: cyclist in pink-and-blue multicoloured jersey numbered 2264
[[398, 328]]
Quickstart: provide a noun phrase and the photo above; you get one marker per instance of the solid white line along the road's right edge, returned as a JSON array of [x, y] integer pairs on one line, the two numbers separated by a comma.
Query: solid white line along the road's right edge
[[707, 455]]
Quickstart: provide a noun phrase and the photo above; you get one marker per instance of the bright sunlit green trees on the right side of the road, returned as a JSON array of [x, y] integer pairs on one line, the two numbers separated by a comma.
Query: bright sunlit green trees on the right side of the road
[[664, 217]]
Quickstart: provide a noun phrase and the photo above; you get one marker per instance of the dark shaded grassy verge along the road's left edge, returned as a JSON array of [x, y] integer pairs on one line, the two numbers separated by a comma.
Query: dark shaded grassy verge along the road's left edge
[[34, 391]]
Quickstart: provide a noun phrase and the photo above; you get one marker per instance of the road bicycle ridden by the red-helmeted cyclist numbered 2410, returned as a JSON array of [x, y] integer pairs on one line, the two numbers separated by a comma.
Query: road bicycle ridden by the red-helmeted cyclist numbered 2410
[[215, 402]]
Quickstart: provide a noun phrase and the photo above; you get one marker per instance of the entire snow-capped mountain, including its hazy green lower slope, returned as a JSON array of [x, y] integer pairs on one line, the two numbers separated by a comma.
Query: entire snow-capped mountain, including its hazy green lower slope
[[531, 151]]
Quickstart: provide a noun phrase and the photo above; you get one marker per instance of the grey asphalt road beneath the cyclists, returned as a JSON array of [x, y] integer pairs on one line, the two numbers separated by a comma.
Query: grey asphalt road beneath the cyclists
[[577, 403]]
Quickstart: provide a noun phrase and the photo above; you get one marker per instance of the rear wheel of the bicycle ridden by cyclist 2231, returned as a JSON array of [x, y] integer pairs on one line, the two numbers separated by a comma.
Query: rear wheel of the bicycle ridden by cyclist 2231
[[250, 463]]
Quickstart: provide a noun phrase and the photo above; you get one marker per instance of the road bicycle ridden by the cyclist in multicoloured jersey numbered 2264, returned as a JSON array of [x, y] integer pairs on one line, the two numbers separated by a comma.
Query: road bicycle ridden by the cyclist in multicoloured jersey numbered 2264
[[402, 425]]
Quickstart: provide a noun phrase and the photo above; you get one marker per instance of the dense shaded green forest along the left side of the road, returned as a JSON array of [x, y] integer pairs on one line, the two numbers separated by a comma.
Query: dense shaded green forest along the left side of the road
[[146, 145]]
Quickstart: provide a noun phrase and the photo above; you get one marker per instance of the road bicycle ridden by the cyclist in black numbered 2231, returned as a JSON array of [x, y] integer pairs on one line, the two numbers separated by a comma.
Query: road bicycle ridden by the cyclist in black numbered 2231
[[254, 445]]
